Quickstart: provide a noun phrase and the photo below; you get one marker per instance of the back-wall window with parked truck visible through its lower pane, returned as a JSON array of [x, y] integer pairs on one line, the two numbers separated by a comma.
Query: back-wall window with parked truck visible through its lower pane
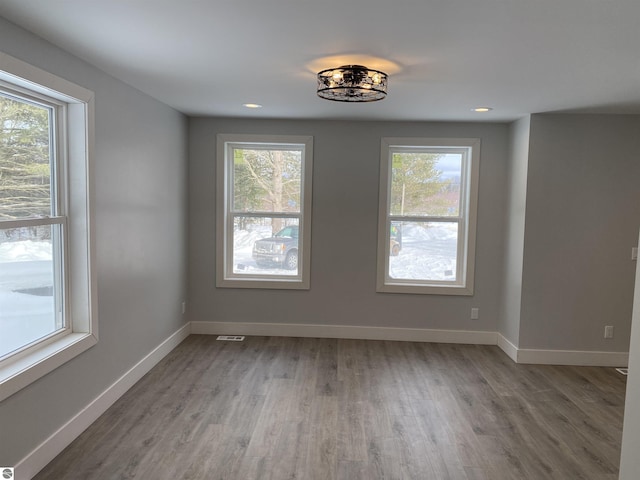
[[264, 211]]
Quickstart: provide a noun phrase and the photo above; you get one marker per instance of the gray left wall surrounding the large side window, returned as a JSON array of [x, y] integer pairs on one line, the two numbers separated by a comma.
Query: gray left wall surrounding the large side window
[[141, 204]]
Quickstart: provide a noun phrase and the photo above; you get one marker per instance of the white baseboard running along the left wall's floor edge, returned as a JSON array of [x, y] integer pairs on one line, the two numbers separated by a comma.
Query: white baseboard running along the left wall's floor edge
[[29, 466]]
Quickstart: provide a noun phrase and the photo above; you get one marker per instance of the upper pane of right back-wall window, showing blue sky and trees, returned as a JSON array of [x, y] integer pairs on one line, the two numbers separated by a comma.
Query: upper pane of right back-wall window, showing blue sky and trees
[[425, 184]]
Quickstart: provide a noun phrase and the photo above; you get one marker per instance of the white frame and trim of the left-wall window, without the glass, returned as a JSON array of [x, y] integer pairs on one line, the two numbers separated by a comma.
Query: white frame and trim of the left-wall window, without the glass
[[74, 171]]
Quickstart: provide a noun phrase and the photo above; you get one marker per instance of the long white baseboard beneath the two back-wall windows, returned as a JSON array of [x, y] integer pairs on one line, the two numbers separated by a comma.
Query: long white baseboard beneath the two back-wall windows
[[344, 331]]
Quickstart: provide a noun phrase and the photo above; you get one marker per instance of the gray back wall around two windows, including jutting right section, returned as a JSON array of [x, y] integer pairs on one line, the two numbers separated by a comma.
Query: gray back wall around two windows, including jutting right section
[[558, 215]]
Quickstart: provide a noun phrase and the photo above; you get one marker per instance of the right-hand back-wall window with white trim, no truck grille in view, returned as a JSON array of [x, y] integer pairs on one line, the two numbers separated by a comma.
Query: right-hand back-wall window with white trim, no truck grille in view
[[426, 231]]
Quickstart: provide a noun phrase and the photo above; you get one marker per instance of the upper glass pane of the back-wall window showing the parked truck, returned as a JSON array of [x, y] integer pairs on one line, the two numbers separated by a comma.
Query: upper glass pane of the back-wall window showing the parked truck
[[266, 180]]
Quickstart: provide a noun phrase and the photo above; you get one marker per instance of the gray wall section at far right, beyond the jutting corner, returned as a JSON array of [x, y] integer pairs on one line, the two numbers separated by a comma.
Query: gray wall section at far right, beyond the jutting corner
[[582, 218]]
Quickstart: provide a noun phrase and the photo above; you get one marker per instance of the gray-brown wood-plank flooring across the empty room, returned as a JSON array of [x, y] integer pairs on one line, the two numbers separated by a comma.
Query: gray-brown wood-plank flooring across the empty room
[[323, 409]]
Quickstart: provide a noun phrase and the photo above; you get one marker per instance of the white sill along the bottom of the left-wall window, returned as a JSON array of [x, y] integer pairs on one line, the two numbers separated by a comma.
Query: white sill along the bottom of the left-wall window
[[26, 370]]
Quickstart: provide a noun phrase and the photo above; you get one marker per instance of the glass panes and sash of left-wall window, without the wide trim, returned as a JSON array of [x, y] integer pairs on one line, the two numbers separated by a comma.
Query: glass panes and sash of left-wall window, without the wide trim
[[33, 222]]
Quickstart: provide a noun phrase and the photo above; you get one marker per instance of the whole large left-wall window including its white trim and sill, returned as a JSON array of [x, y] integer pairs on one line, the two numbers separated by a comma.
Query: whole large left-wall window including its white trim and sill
[[47, 289]]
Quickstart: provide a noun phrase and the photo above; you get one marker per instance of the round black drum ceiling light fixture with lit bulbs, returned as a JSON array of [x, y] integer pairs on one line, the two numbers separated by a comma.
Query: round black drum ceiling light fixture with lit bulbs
[[352, 83]]
